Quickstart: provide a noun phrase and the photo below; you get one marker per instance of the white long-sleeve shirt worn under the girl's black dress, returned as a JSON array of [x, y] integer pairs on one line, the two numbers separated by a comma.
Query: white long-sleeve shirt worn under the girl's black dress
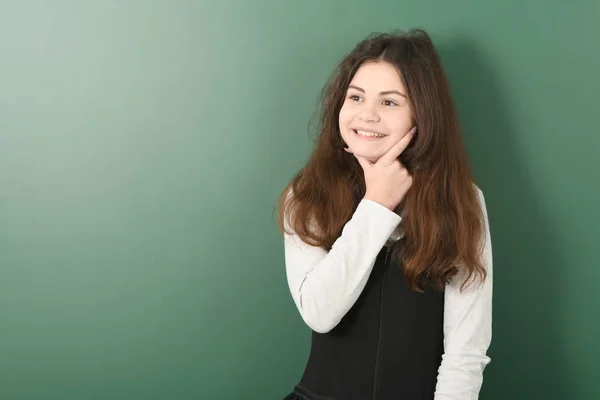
[[325, 285]]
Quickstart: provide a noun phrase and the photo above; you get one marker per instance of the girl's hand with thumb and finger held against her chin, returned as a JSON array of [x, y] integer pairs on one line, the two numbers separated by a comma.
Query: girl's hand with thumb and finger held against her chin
[[387, 180]]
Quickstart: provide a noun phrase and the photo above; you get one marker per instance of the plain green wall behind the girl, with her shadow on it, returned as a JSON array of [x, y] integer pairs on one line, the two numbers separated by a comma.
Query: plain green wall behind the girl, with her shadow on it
[[143, 145]]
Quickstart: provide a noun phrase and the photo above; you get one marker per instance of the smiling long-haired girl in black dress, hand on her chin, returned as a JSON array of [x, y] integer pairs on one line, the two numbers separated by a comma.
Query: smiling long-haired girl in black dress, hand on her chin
[[387, 245]]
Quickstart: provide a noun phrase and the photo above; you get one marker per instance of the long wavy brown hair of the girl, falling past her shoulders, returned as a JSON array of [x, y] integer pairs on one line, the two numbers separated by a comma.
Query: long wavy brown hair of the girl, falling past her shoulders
[[442, 216]]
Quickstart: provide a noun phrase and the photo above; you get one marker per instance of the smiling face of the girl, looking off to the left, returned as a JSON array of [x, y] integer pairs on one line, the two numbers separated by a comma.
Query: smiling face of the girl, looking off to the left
[[376, 113]]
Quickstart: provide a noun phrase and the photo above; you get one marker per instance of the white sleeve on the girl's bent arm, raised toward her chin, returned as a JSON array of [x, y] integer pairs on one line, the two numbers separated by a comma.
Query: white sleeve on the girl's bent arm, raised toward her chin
[[326, 284]]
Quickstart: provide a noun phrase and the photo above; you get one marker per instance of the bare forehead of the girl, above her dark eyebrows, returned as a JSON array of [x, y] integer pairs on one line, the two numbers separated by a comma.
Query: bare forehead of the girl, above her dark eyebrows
[[377, 76]]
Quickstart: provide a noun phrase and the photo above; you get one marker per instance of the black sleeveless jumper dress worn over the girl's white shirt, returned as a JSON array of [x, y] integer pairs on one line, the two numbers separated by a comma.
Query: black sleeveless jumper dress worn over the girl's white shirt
[[388, 346]]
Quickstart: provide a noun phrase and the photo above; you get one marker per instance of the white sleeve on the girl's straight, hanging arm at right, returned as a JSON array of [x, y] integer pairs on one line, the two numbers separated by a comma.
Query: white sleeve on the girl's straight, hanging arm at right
[[467, 330]]
